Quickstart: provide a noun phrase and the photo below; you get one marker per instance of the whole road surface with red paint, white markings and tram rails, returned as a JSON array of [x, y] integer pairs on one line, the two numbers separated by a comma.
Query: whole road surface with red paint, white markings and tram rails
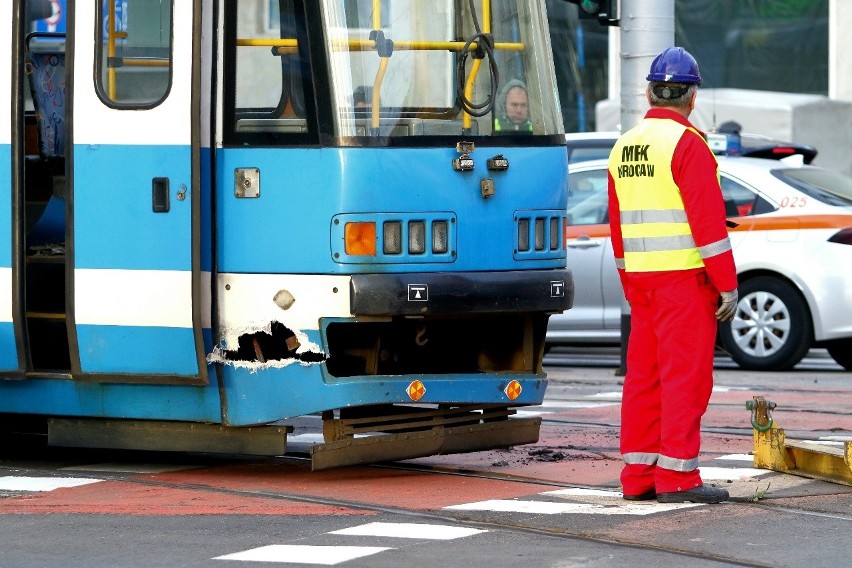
[[555, 503]]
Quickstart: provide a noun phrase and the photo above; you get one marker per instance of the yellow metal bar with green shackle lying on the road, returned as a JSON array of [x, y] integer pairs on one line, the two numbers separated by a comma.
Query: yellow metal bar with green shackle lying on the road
[[817, 459]]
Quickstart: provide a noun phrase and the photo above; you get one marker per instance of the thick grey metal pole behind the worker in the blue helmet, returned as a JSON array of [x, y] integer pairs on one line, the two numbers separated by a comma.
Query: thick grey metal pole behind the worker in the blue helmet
[[647, 27]]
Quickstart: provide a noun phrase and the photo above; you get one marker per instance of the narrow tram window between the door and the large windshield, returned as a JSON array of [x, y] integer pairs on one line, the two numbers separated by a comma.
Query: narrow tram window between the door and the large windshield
[[270, 71]]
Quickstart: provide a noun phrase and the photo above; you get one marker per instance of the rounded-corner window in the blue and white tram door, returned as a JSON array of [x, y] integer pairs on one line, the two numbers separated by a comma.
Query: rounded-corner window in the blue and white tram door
[[134, 60]]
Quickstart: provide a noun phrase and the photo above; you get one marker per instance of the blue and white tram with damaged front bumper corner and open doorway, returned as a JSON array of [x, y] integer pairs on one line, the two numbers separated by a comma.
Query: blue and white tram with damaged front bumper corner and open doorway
[[221, 215]]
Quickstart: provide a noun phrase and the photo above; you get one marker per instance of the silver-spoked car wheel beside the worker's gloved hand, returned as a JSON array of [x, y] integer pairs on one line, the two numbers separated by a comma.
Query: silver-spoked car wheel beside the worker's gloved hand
[[772, 329]]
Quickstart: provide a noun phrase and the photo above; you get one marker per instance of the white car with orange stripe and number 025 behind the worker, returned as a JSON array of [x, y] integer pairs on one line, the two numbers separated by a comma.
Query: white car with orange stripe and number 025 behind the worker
[[792, 246]]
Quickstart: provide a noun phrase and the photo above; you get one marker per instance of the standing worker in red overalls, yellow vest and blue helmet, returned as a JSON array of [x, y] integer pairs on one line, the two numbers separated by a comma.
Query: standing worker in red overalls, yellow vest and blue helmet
[[674, 258]]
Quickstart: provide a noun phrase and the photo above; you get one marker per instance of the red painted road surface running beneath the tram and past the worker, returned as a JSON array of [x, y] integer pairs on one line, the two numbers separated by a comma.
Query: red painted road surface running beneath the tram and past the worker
[[577, 446]]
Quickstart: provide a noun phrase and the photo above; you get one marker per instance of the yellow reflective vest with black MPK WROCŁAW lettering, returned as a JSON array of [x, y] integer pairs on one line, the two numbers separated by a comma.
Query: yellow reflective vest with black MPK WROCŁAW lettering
[[654, 228]]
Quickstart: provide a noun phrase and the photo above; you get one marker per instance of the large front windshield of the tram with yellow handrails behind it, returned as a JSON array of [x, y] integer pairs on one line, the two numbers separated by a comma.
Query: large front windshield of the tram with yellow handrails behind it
[[426, 67]]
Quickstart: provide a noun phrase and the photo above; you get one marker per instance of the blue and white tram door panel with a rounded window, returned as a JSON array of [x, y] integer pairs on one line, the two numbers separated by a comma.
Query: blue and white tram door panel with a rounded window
[[135, 269]]
